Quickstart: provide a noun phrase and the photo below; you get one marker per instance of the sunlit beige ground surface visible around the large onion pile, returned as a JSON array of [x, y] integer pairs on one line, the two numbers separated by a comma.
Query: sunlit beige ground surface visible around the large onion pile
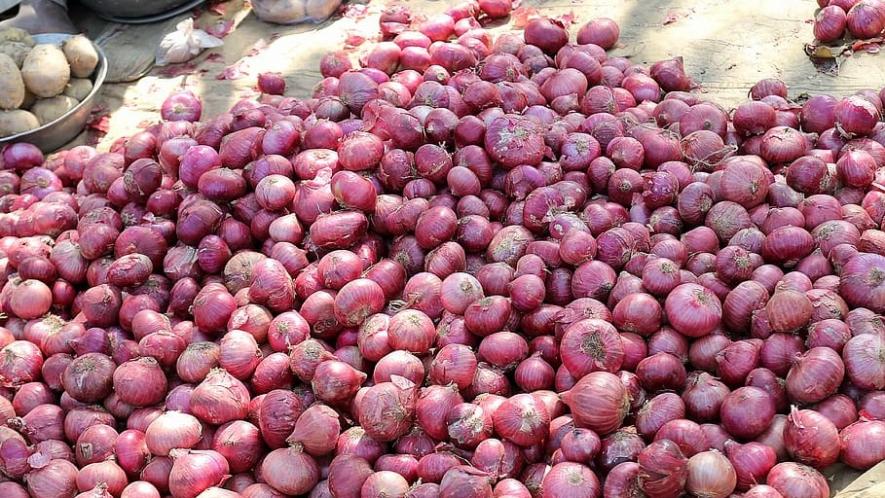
[[727, 46]]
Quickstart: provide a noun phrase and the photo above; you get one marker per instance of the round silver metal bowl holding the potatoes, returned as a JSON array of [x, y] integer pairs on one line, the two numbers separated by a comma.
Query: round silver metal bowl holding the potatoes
[[53, 135]]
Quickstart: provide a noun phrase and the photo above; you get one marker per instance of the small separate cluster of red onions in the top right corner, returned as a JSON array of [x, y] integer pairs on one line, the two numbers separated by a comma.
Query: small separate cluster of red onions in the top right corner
[[861, 19]]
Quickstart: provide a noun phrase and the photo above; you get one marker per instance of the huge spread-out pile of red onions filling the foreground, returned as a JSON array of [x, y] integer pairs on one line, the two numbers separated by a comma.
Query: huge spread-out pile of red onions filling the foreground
[[471, 267]]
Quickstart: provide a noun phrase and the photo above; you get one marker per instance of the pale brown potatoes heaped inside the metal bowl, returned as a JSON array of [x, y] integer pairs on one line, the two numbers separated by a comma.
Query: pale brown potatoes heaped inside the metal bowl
[[39, 83]]
